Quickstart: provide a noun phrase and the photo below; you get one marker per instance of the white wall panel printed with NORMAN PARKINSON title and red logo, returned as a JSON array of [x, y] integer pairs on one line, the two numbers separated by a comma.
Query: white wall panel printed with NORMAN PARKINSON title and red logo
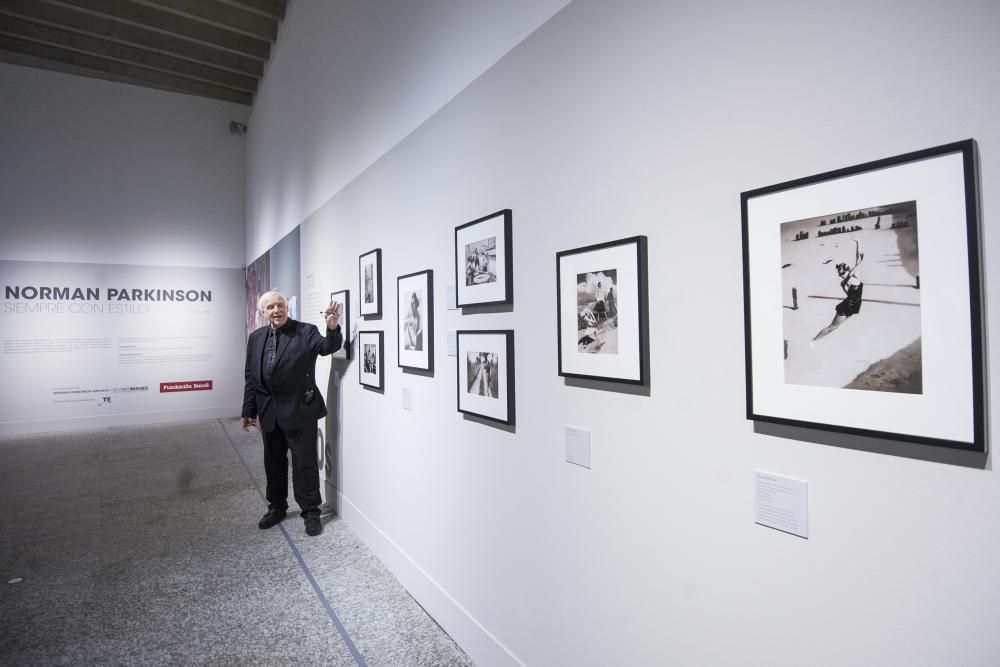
[[88, 345]]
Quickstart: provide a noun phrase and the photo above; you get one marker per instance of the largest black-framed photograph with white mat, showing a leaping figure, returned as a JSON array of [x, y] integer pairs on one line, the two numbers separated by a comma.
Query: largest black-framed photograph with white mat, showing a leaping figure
[[862, 297]]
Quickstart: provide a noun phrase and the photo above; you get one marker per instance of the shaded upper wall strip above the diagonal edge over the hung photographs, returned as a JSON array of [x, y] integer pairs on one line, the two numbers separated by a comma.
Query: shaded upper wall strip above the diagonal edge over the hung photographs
[[348, 80]]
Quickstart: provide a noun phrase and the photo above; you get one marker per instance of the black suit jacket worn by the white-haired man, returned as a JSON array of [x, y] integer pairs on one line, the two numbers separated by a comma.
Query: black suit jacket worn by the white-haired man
[[282, 401]]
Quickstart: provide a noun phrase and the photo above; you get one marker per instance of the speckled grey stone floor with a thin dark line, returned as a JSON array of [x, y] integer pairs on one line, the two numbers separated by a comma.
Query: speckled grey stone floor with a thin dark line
[[139, 546]]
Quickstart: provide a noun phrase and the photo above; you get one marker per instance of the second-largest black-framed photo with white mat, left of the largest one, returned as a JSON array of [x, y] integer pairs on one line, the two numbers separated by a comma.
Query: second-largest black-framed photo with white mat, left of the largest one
[[601, 298]]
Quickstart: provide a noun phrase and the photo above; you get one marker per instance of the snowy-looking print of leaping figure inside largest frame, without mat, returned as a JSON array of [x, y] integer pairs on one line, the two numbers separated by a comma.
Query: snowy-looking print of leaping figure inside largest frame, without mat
[[851, 300]]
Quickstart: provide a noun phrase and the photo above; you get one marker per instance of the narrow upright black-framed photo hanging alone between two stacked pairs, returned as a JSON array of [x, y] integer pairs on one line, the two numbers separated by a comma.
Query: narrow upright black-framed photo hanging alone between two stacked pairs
[[415, 305]]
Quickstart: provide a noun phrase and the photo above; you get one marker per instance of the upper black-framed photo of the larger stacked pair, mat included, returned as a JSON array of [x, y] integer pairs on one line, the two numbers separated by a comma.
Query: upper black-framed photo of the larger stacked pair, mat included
[[484, 261]]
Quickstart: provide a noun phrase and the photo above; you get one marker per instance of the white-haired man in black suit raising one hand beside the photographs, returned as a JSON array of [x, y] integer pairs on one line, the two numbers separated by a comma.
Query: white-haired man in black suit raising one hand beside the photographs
[[281, 398]]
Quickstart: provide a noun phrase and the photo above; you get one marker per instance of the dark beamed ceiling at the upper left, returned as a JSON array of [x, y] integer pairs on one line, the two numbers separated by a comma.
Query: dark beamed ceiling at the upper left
[[210, 48]]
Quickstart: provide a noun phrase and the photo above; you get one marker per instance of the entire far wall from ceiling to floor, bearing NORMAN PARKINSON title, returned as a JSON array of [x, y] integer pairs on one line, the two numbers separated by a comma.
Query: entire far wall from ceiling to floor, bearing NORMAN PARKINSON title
[[105, 185]]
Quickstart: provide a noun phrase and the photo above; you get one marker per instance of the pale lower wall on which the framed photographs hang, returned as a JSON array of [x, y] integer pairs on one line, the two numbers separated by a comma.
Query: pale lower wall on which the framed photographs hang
[[625, 118]]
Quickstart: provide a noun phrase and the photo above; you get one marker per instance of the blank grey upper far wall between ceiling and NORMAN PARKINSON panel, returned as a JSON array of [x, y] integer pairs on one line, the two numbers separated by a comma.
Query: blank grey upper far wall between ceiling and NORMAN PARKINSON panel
[[101, 172]]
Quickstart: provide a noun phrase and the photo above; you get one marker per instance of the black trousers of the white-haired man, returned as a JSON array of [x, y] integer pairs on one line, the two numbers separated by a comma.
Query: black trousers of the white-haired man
[[305, 468]]
